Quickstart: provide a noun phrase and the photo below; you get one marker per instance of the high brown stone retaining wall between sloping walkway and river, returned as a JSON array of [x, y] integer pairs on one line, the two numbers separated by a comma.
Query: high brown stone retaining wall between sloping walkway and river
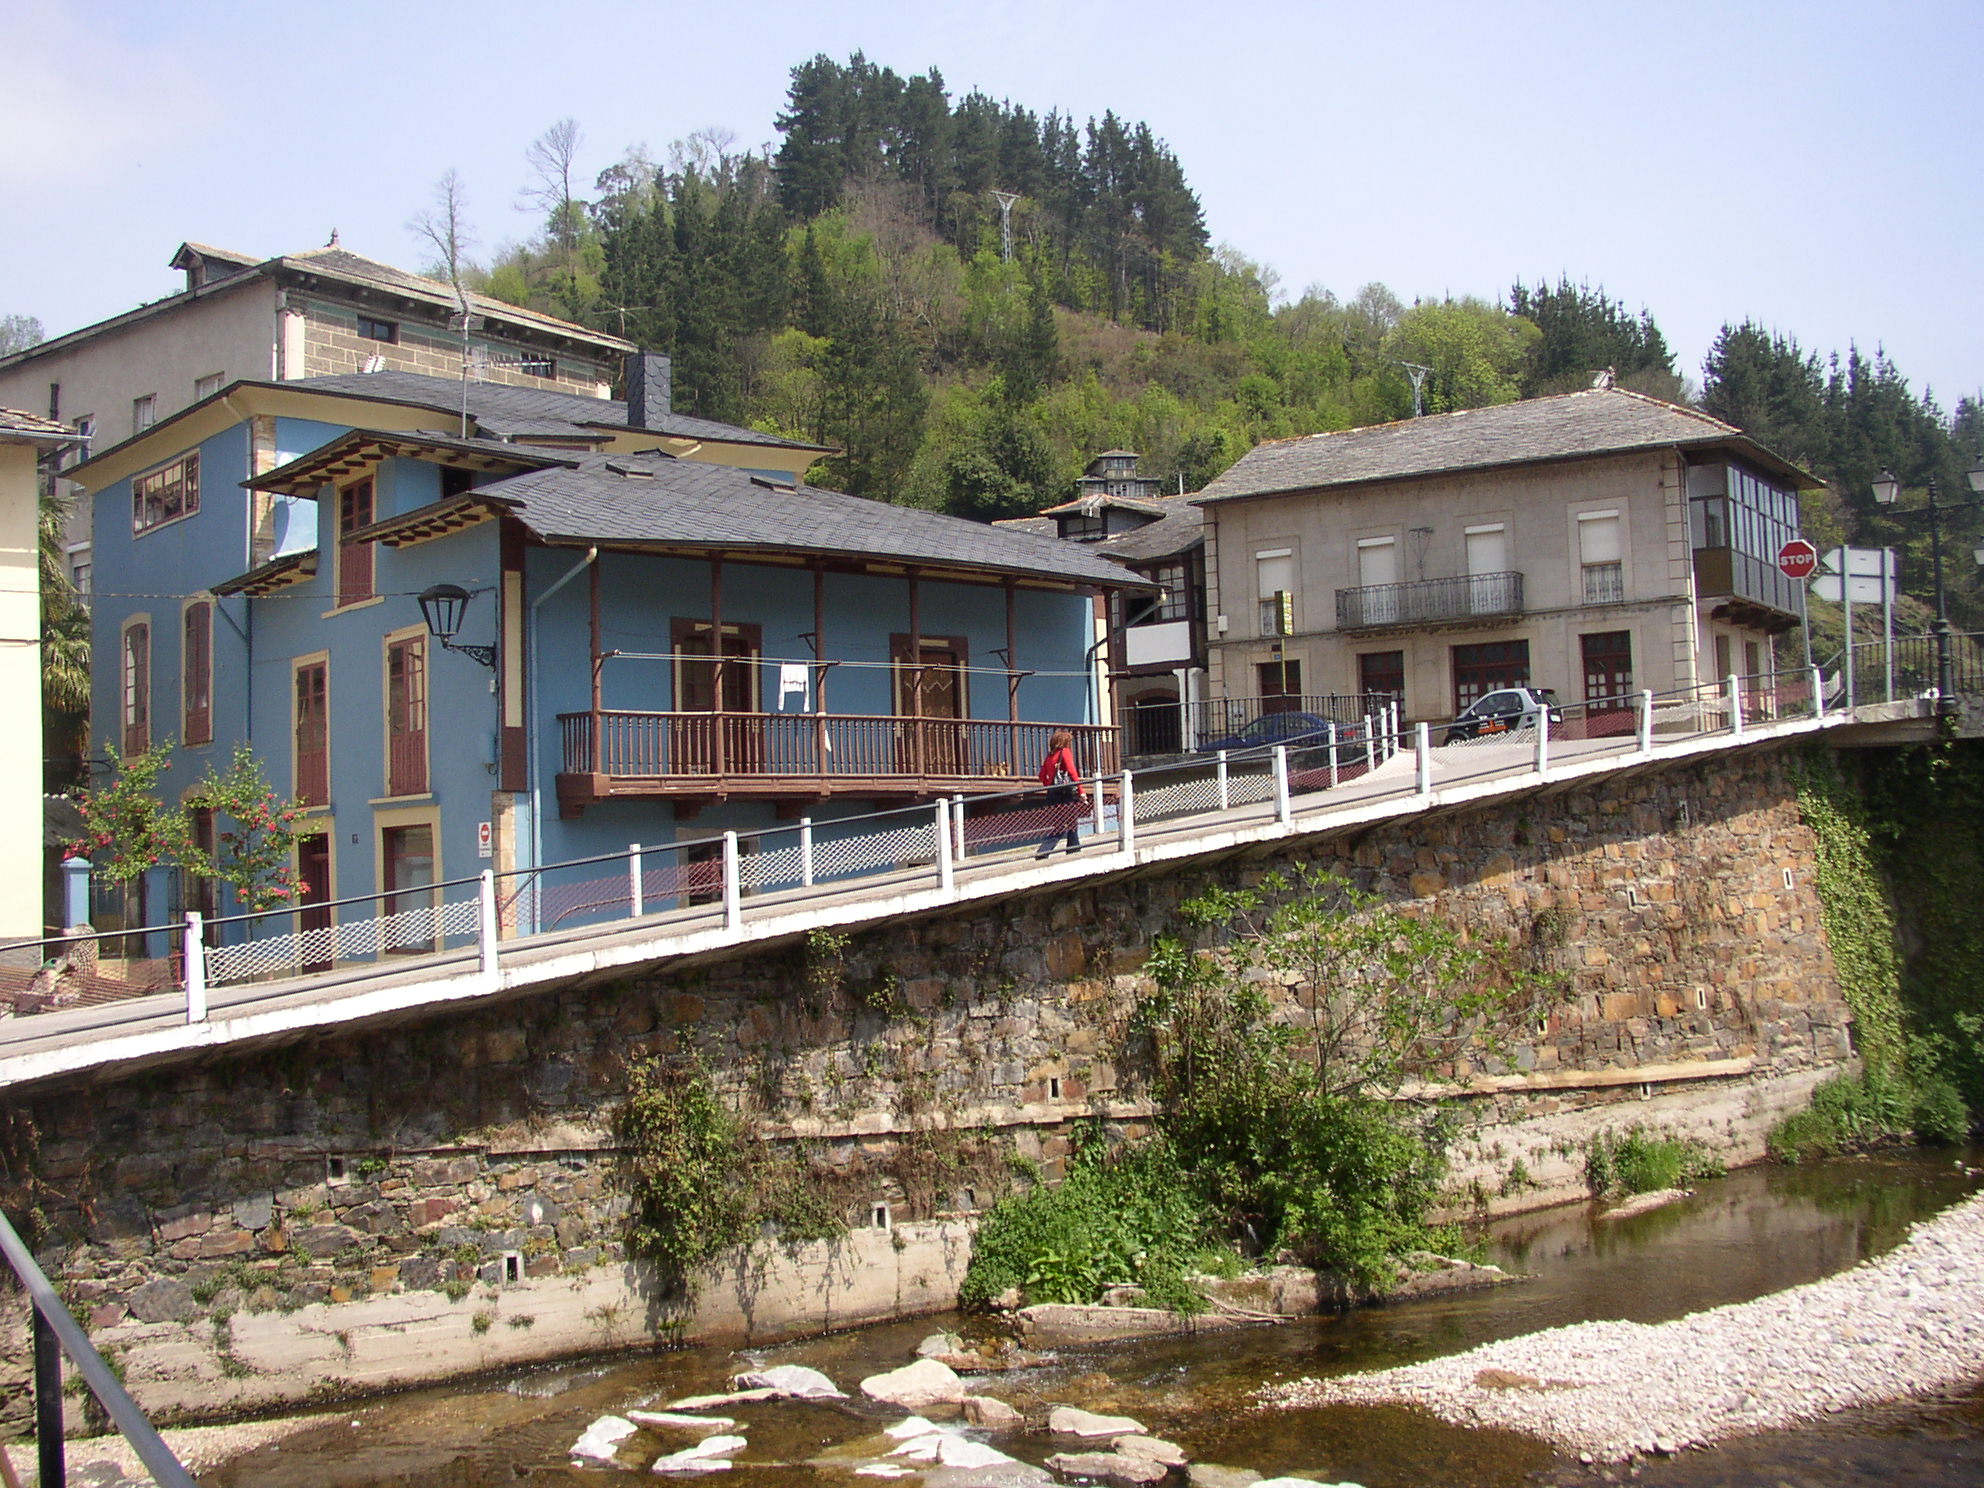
[[457, 1178]]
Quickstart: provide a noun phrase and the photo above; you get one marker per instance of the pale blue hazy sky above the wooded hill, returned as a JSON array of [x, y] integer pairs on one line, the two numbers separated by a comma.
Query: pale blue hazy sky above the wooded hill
[[1800, 166]]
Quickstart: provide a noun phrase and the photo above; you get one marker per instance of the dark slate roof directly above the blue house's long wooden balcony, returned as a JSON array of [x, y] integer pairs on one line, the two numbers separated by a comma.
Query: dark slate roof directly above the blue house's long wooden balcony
[[674, 503]]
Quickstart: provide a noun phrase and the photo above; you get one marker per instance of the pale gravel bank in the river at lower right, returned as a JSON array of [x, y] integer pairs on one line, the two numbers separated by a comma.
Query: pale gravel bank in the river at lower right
[[1910, 1322]]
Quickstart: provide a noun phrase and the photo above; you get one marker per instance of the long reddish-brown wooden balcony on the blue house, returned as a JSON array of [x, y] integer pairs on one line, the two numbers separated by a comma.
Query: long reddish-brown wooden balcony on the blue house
[[803, 757]]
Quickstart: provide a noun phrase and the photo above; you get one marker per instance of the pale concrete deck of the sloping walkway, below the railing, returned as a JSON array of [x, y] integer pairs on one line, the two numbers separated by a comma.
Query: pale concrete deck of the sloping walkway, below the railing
[[150, 1031]]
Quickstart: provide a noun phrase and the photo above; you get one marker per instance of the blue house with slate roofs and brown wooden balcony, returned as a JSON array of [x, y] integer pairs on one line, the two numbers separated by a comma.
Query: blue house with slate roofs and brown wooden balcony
[[473, 626]]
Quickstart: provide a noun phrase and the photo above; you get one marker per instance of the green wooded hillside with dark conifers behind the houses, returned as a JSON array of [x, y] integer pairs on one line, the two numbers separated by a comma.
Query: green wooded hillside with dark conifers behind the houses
[[860, 287]]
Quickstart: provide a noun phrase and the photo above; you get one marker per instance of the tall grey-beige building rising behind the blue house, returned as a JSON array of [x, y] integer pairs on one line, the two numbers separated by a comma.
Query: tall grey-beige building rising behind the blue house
[[310, 314]]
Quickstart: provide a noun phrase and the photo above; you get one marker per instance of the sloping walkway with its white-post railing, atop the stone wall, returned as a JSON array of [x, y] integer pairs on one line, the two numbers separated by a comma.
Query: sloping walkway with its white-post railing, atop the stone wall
[[166, 995]]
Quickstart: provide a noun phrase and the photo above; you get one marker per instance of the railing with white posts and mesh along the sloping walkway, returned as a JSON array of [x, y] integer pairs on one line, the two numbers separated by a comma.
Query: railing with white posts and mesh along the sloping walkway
[[713, 884]]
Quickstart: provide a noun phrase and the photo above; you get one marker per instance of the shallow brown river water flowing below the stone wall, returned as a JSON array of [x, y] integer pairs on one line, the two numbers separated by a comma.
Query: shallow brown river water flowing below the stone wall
[[1737, 1239]]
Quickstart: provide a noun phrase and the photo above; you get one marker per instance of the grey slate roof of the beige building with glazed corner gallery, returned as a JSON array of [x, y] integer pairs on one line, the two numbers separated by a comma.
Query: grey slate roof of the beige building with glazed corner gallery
[[1570, 426]]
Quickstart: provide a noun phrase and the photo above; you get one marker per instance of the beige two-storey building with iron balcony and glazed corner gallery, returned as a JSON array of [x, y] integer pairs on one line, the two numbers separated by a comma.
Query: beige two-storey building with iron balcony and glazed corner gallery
[[1594, 543]]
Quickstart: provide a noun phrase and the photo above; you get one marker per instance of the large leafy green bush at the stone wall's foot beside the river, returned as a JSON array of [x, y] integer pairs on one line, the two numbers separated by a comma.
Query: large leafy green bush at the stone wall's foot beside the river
[[1283, 1033]]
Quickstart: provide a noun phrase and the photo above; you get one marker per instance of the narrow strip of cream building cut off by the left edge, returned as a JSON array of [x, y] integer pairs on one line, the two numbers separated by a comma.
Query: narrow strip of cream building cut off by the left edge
[[25, 439]]
